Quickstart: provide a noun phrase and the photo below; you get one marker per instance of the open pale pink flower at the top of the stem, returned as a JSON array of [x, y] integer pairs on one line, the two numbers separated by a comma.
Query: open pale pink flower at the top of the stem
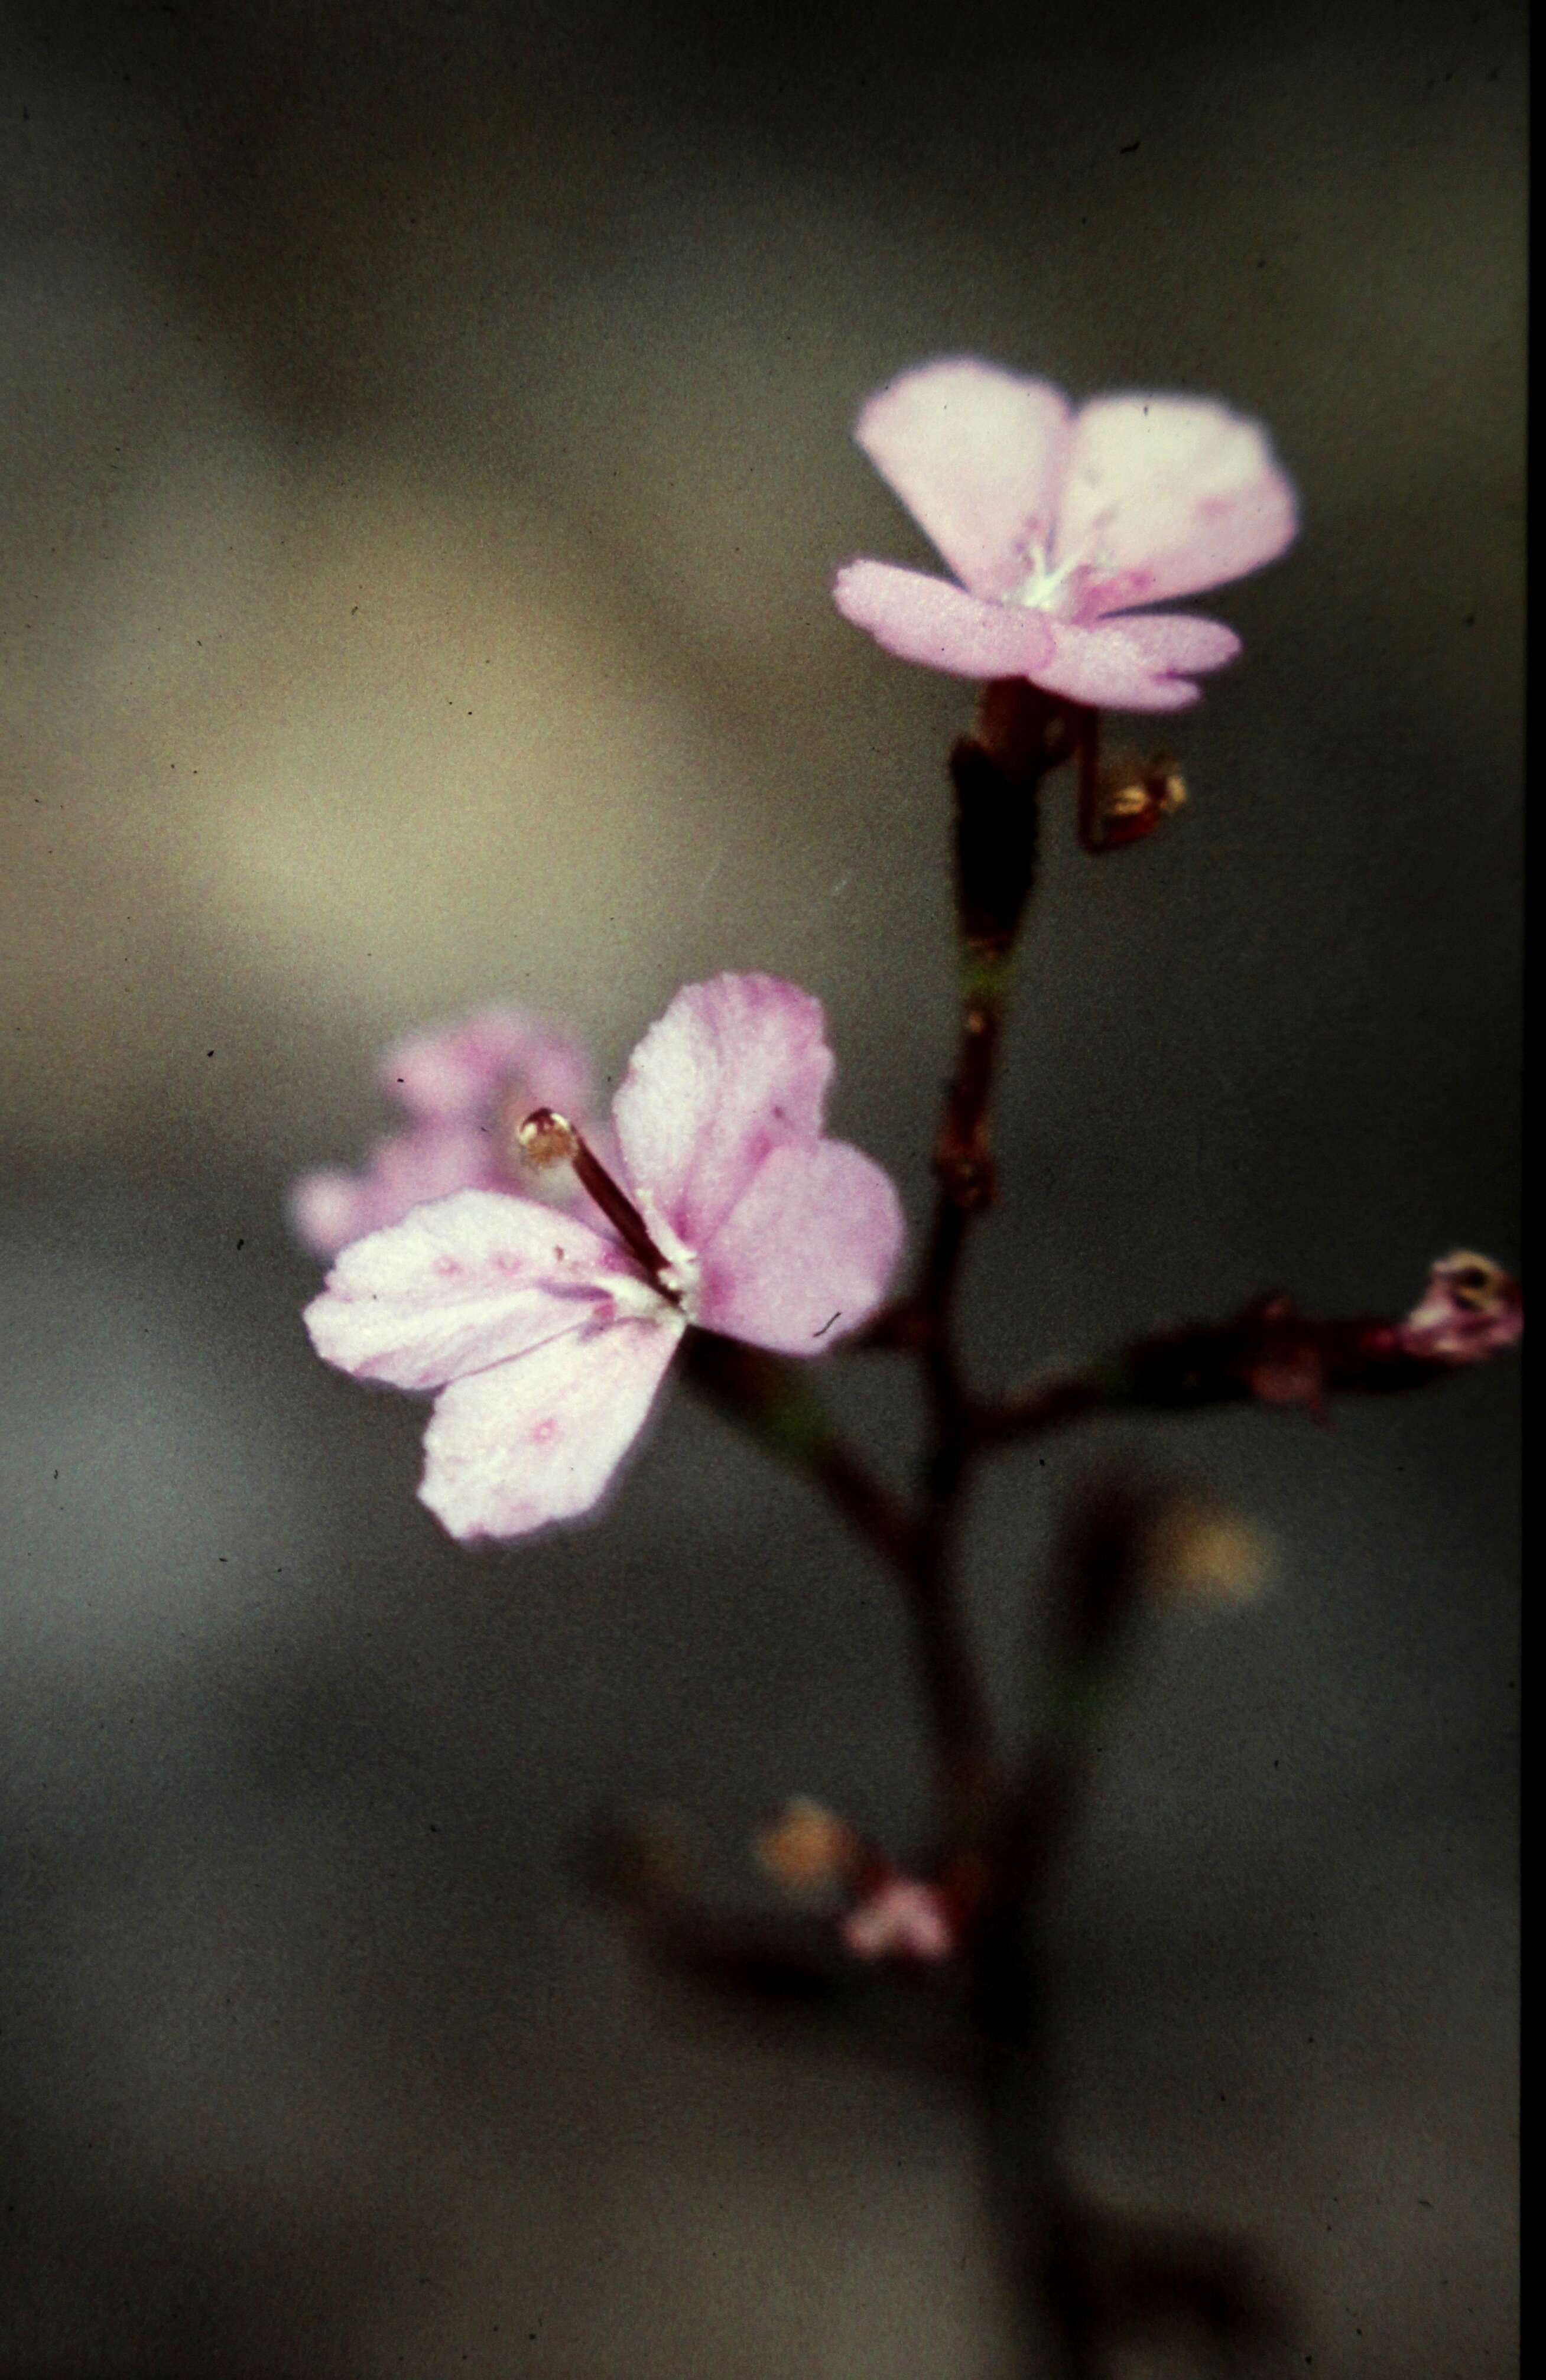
[[1056, 522]]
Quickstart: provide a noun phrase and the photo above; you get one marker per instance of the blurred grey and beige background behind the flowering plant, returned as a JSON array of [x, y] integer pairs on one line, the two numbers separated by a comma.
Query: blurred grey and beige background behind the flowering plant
[[425, 456]]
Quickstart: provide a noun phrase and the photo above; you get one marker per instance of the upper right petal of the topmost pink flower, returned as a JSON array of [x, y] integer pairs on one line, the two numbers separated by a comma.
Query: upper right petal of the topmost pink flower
[[1166, 496]]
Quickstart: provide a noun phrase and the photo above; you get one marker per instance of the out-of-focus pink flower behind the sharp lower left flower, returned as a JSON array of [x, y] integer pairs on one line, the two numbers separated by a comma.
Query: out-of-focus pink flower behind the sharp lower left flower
[[466, 1089]]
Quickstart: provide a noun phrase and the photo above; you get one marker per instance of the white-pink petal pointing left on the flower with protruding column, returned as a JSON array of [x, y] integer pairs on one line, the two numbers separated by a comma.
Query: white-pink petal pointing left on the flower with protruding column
[[459, 1286]]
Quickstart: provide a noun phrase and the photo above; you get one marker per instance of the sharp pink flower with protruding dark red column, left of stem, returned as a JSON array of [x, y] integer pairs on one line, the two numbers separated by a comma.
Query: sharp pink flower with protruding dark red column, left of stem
[[547, 1336]]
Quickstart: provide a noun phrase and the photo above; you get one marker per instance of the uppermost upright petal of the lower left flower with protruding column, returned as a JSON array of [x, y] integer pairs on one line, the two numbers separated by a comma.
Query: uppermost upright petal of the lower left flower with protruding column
[[735, 1067]]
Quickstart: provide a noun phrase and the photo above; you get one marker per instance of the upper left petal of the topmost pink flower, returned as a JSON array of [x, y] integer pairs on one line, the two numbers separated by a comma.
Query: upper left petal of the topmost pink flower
[[975, 456]]
